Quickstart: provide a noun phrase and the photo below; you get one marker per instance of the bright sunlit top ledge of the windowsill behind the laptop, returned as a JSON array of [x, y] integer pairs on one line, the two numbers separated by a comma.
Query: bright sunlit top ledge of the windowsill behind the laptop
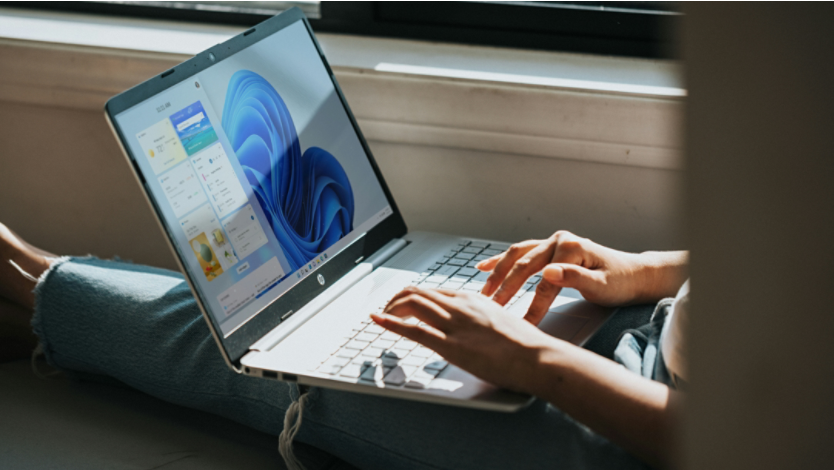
[[550, 69]]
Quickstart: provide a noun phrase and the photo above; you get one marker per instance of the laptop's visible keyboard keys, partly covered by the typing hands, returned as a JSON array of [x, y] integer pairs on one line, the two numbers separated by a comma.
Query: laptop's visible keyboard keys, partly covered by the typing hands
[[370, 353]]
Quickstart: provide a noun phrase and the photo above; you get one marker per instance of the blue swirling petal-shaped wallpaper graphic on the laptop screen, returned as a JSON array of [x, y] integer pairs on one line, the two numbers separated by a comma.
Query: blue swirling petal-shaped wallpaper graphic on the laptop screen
[[306, 196]]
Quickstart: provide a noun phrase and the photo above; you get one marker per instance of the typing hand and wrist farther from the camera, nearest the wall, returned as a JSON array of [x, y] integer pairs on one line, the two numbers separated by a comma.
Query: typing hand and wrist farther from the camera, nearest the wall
[[602, 275]]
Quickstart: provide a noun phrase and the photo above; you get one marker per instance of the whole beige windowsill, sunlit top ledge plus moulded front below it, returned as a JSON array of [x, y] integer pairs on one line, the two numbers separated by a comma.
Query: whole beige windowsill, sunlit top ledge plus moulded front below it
[[488, 100]]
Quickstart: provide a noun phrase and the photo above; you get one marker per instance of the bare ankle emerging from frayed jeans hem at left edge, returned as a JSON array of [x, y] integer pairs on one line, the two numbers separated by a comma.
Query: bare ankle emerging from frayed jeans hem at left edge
[[14, 286]]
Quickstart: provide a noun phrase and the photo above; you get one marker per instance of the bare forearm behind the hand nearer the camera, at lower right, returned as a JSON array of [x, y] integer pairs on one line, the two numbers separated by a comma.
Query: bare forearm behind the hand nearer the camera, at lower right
[[633, 412]]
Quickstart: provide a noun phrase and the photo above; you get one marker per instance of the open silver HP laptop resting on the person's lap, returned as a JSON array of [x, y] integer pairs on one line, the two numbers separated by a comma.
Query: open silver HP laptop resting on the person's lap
[[286, 231]]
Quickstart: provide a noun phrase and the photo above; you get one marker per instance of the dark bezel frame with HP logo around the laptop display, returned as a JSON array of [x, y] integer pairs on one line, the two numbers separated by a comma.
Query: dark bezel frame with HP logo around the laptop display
[[236, 344]]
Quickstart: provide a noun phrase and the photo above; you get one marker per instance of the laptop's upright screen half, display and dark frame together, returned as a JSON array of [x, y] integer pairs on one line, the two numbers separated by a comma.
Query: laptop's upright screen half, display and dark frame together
[[258, 174]]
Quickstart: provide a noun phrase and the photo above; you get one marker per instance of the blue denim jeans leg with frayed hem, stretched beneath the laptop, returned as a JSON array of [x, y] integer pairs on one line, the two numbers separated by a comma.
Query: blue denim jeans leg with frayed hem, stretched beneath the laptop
[[141, 325]]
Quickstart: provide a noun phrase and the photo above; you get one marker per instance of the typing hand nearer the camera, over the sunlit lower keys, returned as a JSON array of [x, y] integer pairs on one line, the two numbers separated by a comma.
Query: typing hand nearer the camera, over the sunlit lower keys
[[470, 331]]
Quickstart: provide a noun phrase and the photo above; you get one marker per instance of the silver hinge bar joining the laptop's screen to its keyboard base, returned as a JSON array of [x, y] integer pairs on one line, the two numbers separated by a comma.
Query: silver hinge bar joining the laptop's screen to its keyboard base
[[324, 299]]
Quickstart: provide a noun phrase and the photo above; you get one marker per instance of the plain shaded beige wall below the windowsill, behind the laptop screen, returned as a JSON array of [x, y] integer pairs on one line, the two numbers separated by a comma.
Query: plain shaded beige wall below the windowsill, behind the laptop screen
[[74, 194]]
